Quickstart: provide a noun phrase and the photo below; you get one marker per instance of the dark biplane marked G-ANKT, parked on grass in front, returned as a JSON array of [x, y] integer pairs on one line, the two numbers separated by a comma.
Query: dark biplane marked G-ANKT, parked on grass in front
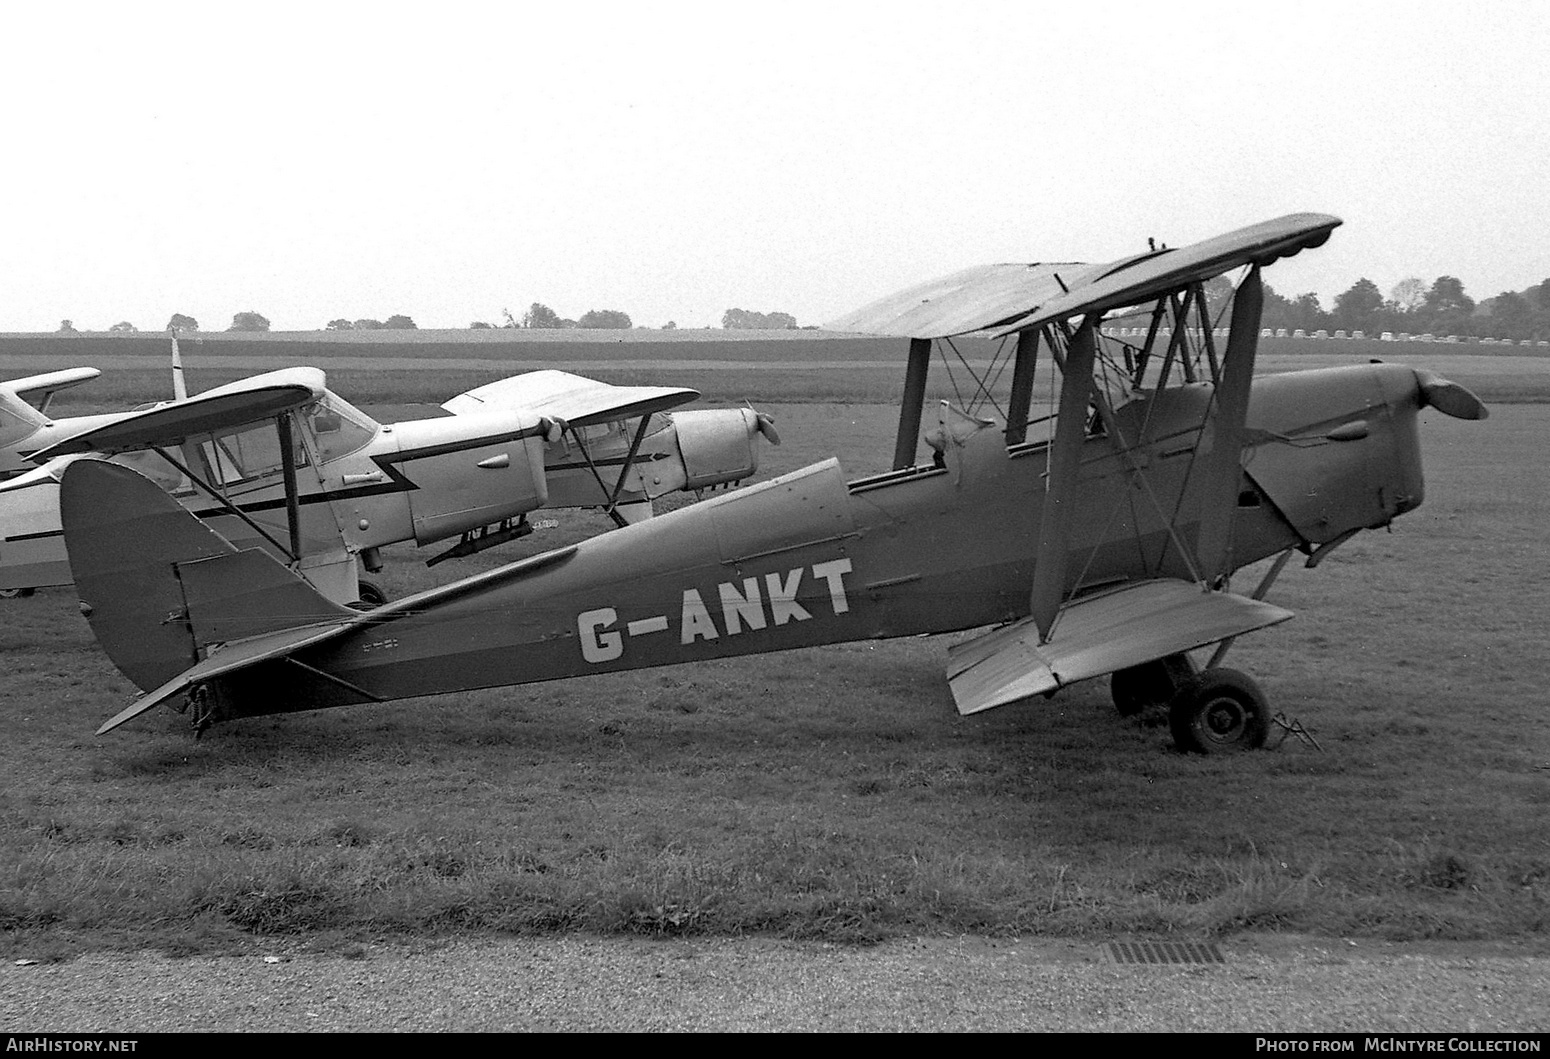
[[1101, 548]]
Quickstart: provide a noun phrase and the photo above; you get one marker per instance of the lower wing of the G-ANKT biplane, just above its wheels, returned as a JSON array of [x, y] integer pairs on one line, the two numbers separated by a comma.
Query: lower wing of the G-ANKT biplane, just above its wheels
[[1100, 635]]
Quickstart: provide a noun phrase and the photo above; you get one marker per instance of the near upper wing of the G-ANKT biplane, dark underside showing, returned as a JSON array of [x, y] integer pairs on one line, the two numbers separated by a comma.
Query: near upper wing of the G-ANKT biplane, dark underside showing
[[1138, 280]]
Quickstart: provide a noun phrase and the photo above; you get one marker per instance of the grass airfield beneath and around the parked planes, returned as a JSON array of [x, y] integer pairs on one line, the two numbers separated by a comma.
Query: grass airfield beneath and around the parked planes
[[832, 793]]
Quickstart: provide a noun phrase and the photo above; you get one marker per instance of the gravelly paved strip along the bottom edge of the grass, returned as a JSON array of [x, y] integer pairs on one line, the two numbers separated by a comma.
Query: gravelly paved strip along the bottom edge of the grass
[[1269, 985]]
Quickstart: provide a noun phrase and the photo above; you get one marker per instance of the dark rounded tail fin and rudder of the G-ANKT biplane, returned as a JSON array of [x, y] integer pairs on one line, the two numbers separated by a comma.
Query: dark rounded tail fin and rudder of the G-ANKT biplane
[[159, 587]]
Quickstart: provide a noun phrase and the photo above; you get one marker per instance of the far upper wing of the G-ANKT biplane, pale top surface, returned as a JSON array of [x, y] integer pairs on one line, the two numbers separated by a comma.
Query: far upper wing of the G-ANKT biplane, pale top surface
[[968, 302]]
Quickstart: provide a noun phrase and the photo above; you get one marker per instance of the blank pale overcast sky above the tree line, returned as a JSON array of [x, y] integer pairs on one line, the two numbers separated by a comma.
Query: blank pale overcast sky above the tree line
[[677, 160]]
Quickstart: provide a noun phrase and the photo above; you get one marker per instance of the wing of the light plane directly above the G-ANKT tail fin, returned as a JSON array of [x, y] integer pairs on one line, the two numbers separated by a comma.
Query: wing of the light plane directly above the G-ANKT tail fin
[[249, 401]]
